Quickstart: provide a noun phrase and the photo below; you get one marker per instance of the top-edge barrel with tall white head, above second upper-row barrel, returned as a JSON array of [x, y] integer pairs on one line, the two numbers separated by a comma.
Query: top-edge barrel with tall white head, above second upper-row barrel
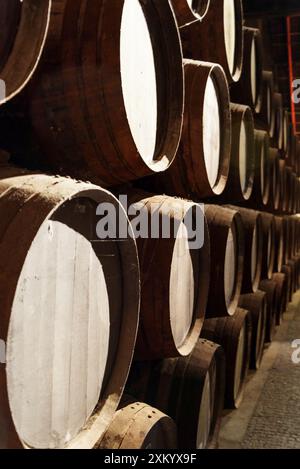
[[218, 38]]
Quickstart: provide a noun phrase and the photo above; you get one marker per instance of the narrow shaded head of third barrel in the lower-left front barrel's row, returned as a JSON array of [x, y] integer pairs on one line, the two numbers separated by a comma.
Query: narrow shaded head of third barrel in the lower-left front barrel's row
[[230, 268]]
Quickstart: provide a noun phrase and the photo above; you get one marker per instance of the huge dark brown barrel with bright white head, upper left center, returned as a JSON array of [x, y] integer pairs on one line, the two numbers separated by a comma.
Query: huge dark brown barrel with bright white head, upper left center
[[105, 62]]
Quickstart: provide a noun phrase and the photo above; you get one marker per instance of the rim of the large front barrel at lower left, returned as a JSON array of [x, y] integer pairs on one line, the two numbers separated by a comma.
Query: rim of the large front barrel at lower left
[[108, 402]]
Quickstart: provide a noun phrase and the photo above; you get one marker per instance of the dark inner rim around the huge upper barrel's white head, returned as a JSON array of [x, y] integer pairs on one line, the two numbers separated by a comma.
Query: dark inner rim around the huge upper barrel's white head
[[169, 120]]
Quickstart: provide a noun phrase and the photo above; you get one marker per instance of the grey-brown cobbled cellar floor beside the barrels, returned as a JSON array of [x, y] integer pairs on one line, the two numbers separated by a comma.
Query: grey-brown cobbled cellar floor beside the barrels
[[269, 416]]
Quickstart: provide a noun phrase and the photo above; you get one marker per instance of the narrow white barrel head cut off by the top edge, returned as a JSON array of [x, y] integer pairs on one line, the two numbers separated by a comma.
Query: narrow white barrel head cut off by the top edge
[[229, 16]]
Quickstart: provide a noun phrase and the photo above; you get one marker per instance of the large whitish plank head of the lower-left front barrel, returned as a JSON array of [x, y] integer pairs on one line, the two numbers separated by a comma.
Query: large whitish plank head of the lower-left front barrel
[[58, 337]]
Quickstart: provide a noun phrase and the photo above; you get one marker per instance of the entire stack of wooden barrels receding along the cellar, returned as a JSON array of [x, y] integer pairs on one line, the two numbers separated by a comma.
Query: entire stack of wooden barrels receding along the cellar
[[169, 104]]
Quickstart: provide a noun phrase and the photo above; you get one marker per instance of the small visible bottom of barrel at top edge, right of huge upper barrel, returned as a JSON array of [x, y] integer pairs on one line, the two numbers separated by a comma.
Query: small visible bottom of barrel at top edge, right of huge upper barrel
[[188, 11]]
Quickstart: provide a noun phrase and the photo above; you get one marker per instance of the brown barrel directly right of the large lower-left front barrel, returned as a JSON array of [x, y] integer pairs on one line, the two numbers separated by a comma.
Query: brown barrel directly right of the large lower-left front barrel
[[174, 274]]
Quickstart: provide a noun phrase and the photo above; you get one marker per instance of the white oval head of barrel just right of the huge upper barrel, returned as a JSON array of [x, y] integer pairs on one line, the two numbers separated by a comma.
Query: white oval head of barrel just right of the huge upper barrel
[[211, 131]]
